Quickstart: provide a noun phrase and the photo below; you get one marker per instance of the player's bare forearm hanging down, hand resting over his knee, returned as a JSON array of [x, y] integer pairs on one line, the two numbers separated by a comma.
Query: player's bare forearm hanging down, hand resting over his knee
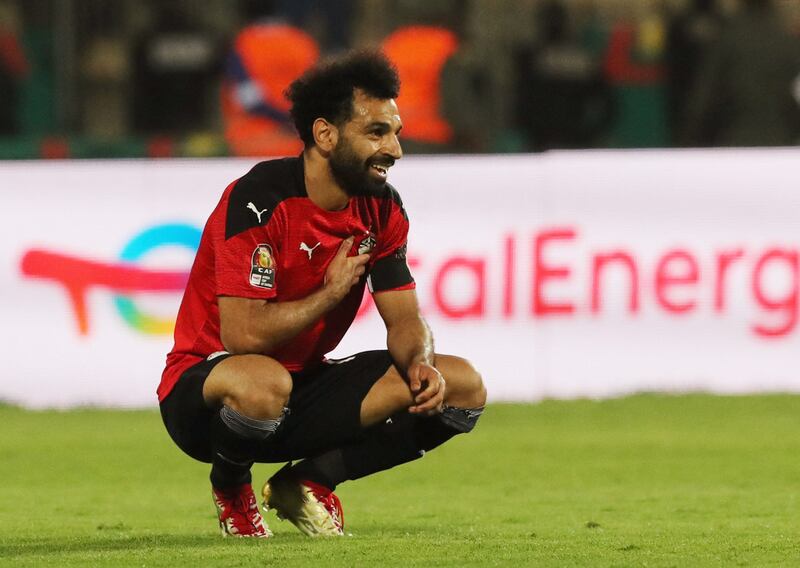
[[410, 344]]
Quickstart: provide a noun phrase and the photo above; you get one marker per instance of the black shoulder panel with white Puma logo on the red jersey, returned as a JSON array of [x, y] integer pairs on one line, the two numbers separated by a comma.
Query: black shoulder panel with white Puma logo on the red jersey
[[257, 193]]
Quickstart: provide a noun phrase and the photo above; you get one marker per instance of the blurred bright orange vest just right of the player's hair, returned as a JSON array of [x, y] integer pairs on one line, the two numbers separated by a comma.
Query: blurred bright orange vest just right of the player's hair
[[420, 52]]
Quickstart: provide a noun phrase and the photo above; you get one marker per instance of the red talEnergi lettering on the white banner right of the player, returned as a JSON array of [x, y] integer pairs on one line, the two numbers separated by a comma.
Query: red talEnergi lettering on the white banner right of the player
[[458, 287]]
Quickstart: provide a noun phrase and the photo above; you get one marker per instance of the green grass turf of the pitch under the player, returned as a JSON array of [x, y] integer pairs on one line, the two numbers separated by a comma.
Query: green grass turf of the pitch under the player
[[642, 481]]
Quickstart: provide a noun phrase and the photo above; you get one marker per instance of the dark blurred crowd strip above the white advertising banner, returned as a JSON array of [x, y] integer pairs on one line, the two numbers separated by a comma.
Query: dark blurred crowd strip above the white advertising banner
[[129, 78]]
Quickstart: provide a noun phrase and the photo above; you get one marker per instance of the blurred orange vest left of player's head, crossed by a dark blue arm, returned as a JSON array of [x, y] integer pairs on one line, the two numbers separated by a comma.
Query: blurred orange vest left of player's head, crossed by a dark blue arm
[[273, 55]]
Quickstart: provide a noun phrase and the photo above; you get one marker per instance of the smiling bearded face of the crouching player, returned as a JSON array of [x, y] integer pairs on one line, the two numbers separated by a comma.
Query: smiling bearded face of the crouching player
[[367, 145]]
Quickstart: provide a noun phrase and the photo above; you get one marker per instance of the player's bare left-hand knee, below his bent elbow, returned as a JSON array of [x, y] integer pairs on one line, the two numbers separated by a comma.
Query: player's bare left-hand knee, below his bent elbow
[[253, 385]]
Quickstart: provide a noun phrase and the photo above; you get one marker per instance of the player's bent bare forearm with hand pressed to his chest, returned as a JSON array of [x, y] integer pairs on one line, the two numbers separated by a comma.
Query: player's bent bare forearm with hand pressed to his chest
[[259, 326]]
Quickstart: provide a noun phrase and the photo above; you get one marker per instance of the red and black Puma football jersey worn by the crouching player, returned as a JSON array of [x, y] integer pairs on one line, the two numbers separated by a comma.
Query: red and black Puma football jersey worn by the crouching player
[[267, 240]]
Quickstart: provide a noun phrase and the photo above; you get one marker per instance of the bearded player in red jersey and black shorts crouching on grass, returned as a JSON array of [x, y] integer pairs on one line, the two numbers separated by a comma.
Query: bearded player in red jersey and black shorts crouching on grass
[[278, 279]]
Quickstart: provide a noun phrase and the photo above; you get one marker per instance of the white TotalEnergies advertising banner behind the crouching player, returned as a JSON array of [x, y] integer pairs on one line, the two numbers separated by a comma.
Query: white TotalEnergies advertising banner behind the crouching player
[[586, 274]]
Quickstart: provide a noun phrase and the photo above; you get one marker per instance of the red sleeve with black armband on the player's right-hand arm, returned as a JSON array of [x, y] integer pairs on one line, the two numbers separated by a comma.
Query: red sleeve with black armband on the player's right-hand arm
[[390, 270]]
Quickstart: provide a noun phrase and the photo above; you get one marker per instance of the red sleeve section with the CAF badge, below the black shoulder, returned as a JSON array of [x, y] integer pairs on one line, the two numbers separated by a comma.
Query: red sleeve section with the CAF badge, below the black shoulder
[[246, 263]]
